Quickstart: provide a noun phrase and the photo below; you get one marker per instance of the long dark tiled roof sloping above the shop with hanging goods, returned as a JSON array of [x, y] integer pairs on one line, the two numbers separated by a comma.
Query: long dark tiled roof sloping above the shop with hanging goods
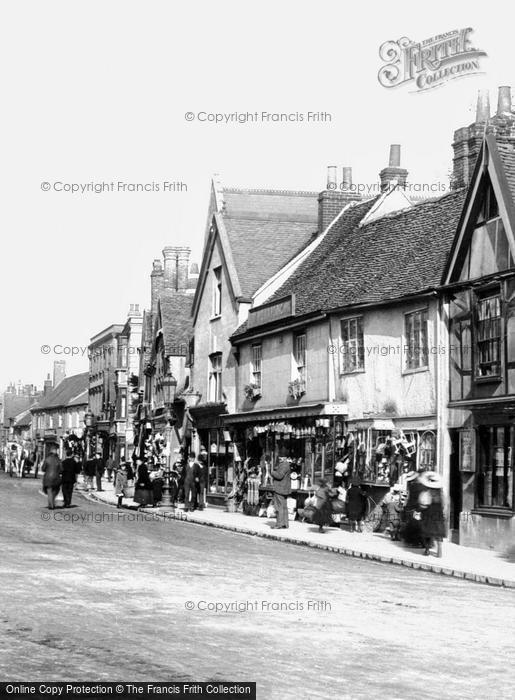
[[400, 255]]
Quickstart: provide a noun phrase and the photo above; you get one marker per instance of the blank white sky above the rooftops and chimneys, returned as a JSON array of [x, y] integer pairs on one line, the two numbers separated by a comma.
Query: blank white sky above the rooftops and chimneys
[[98, 92]]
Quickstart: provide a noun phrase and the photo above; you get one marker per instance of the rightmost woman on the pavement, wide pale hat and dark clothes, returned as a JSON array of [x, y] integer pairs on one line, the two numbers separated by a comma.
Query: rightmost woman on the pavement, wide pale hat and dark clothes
[[430, 506]]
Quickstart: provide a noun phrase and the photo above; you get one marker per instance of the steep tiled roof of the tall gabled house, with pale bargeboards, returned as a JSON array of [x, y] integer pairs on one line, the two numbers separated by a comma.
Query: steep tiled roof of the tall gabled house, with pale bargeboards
[[258, 232]]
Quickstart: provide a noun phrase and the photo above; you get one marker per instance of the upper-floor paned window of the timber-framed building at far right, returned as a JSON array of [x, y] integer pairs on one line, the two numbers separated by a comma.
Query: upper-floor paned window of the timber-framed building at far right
[[488, 335]]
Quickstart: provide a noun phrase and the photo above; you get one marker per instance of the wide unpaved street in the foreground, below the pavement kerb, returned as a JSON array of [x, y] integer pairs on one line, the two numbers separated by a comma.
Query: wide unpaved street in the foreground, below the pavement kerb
[[106, 598]]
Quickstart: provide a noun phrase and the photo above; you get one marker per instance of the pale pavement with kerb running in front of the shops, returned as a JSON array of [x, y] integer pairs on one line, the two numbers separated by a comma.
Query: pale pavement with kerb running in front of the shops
[[469, 563]]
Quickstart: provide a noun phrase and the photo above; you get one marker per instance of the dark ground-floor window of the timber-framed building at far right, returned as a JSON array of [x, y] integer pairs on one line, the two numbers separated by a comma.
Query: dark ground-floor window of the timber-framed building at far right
[[494, 483]]
